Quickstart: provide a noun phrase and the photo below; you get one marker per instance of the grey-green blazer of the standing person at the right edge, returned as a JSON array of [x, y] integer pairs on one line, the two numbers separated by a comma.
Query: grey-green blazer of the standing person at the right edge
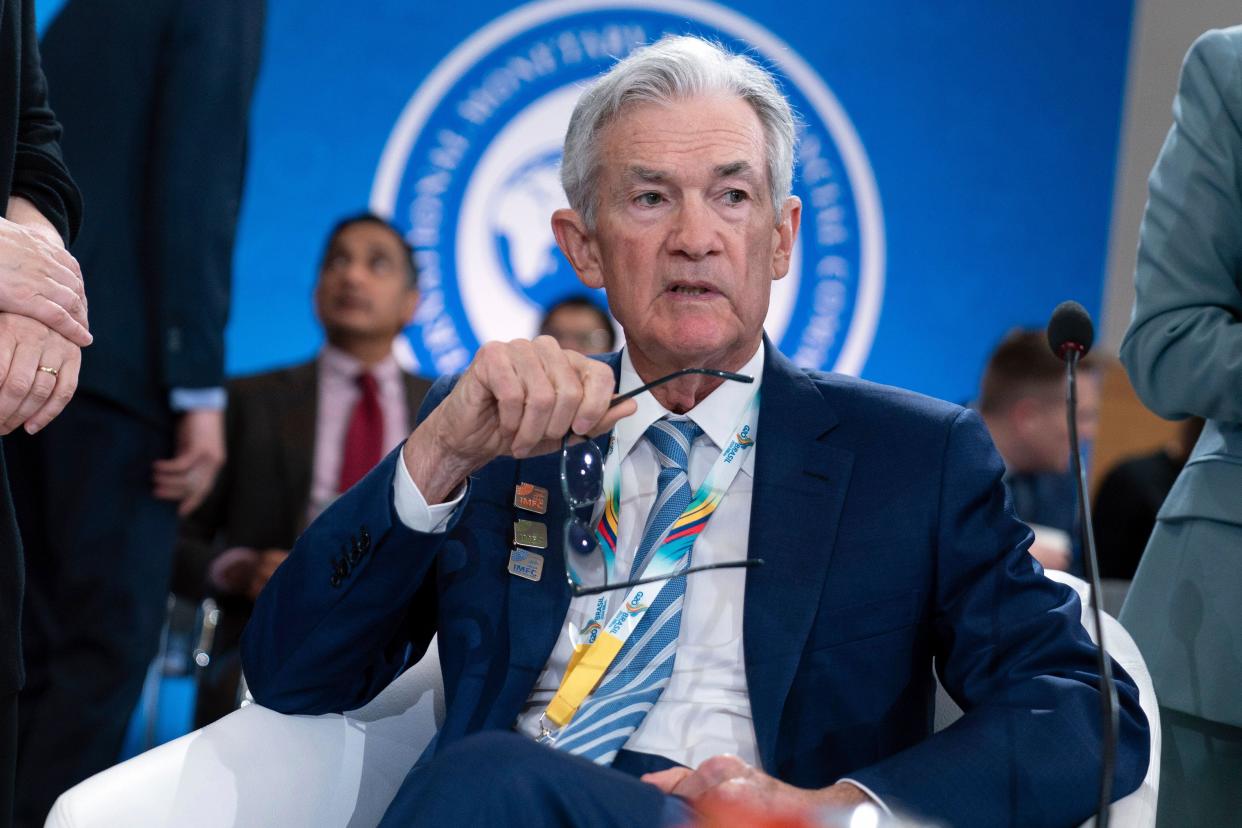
[[1184, 356]]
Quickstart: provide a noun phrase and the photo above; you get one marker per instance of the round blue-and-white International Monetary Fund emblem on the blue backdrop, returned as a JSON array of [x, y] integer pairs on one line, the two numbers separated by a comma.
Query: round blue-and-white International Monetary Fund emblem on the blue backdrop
[[471, 176]]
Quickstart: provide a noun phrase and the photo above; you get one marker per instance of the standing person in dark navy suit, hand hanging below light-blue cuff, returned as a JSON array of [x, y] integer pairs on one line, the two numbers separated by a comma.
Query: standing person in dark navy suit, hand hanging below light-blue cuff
[[156, 99]]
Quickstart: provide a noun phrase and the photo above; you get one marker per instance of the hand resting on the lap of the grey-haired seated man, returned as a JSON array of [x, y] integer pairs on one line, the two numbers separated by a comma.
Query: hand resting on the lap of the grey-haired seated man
[[727, 779]]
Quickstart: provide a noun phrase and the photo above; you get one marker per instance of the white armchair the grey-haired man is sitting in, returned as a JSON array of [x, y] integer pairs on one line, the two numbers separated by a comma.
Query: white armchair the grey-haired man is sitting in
[[256, 768]]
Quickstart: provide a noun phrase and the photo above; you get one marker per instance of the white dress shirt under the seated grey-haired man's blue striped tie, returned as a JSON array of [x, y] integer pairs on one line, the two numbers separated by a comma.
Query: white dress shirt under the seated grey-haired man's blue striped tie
[[706, 709]]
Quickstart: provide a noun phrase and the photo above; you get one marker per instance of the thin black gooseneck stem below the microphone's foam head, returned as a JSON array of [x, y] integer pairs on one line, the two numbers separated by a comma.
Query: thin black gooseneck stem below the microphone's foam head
[[1107, 688]]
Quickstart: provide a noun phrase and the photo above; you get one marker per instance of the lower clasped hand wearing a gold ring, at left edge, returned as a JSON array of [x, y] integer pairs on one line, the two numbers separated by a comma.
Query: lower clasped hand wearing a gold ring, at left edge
[[39, 373]]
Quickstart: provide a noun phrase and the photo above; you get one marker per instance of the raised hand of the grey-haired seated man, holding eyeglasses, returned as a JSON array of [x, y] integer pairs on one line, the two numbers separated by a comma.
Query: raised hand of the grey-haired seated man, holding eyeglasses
[[516, 399]]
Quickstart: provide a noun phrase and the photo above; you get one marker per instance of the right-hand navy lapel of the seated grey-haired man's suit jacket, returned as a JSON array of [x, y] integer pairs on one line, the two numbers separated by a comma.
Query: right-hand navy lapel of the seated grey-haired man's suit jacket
[[800, 486]]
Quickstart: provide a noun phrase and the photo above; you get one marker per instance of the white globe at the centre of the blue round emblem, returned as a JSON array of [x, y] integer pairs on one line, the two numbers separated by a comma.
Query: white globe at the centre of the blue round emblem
[[521, 233]]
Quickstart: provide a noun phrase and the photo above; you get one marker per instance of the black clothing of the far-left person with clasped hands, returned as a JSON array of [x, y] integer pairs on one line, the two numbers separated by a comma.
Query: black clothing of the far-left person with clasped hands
[[30, 167]]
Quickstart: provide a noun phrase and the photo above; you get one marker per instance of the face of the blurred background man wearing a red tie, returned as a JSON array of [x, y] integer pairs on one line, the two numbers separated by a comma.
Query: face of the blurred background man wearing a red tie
[[365, 287]]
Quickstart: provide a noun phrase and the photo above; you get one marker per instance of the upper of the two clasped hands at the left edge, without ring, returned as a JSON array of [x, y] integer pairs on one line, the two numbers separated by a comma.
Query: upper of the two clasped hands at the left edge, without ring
[[44, 282]]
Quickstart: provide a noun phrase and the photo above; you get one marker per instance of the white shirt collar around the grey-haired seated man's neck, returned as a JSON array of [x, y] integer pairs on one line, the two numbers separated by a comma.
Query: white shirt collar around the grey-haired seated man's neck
[[717, 415]]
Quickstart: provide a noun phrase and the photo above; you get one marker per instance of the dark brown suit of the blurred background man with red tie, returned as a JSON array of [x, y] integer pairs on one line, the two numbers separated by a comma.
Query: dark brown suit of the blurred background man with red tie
[[260, 501]]
